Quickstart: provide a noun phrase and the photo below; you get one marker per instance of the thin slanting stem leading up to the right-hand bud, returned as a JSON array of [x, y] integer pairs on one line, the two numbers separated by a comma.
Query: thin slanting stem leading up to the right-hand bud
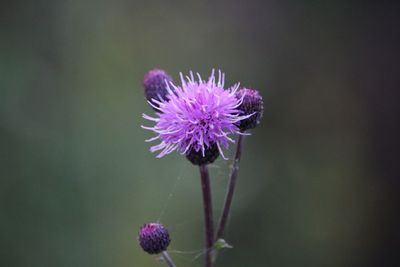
[[231, 188]]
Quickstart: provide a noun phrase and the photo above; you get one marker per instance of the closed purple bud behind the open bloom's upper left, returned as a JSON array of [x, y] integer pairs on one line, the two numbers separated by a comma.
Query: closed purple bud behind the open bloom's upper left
[[155, 85]]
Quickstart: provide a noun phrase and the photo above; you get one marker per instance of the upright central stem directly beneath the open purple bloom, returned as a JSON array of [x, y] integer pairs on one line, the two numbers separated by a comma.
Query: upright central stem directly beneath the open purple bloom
[[208, 215]]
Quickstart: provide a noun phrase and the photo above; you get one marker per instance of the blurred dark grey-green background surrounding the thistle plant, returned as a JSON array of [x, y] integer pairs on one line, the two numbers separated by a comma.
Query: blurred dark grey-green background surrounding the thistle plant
[[318, 183]]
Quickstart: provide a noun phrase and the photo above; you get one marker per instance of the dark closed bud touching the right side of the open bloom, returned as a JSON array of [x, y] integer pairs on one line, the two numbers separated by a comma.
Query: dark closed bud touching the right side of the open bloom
[[252, 104]]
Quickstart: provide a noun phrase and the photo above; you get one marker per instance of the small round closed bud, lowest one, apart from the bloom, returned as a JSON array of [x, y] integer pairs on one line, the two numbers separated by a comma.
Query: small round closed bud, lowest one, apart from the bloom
[[154, 238]]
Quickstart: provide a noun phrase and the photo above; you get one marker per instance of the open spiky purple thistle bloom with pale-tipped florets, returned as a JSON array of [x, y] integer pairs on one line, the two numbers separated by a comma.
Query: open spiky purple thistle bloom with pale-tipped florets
[[196, 116]]
